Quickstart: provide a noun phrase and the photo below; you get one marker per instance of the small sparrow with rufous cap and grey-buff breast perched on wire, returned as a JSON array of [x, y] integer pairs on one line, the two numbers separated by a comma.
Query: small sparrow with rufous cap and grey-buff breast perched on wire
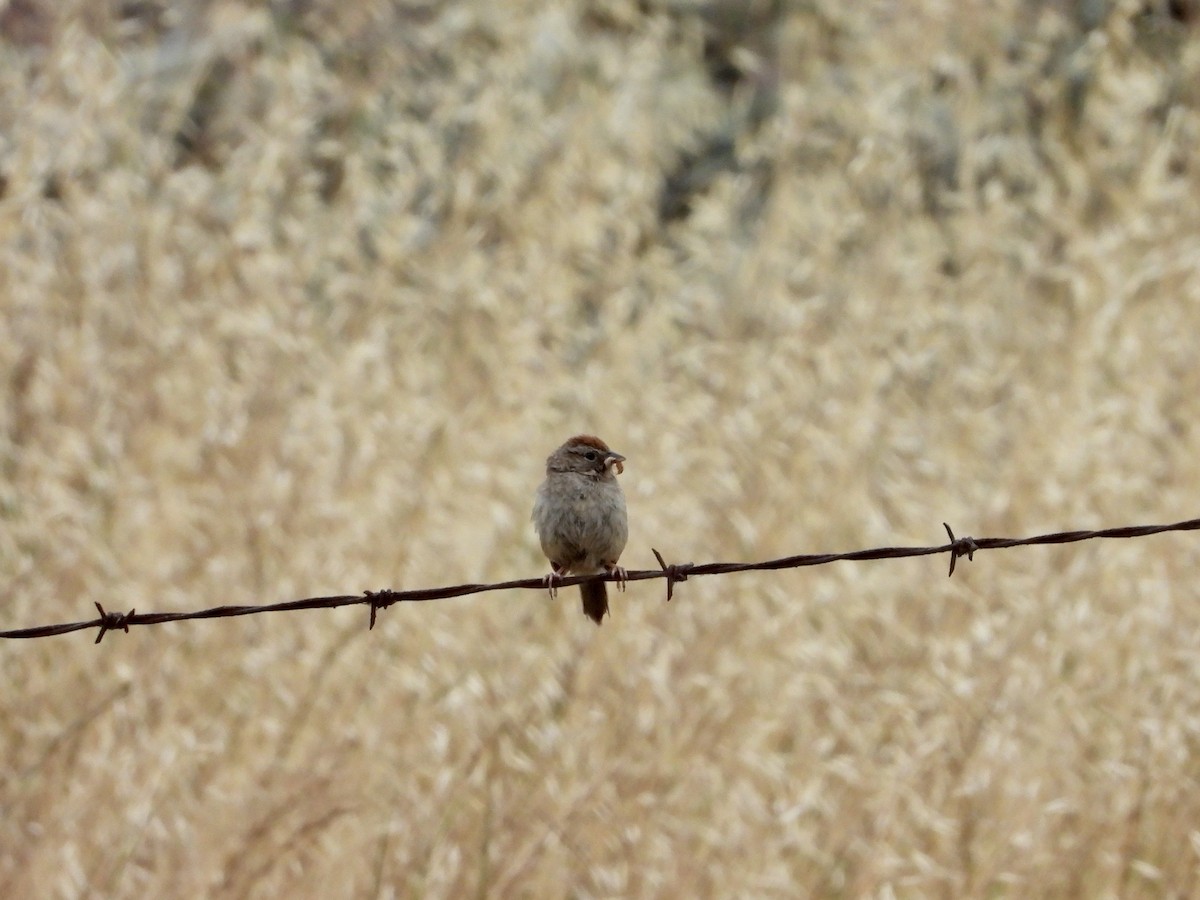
[[581, 520]]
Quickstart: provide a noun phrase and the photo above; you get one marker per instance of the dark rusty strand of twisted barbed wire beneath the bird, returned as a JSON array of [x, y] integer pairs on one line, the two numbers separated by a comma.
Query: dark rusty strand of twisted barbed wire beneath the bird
[[674, 573]]
